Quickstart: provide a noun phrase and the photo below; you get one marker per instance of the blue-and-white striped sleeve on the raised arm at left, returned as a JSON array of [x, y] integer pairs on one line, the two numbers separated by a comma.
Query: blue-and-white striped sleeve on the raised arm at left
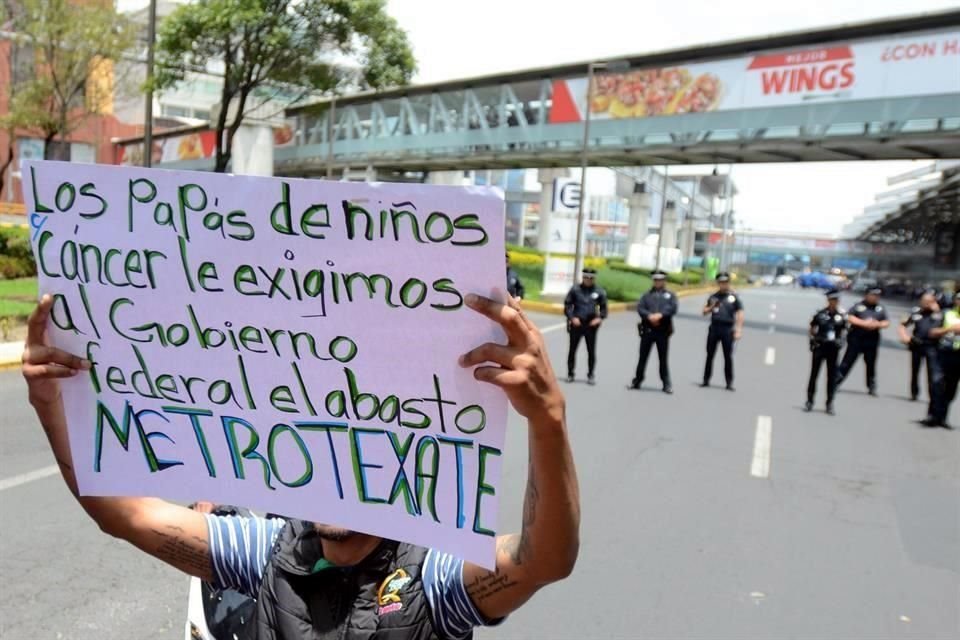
[[239, 550]]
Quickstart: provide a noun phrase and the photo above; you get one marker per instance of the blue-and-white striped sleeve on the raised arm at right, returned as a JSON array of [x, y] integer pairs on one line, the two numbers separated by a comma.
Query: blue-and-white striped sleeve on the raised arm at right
[[454, 614]]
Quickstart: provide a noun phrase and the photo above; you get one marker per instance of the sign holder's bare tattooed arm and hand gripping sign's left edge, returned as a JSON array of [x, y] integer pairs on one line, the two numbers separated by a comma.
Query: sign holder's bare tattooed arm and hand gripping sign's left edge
[[174, 534]]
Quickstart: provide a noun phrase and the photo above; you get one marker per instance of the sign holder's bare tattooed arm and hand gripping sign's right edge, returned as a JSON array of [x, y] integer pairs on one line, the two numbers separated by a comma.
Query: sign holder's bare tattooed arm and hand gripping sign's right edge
[[546, 548]]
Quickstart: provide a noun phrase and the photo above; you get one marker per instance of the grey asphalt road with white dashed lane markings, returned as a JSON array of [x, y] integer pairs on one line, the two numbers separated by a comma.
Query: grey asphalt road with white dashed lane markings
[[852, 532]]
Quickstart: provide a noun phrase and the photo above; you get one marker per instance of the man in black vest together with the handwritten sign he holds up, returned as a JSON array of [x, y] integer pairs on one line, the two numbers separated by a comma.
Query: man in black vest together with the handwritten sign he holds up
[[403, 576]]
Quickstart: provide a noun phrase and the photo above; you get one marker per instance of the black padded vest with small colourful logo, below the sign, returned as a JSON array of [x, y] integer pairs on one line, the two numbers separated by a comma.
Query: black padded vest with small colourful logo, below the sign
[[381, 598]]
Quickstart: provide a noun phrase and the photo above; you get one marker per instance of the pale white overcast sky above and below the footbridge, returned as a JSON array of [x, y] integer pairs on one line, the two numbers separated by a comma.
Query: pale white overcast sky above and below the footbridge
[[464, 38]]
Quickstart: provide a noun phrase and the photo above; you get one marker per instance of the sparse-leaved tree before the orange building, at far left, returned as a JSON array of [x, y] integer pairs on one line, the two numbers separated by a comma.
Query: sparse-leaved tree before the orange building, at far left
[[74, 46]]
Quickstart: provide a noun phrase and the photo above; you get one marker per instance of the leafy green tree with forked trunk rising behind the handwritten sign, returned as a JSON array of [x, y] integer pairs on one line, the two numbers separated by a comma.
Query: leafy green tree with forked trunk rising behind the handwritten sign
[[269, 47]]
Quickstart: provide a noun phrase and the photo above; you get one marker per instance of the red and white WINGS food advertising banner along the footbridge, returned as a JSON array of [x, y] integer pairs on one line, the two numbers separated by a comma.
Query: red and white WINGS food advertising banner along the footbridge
[[913, 65]]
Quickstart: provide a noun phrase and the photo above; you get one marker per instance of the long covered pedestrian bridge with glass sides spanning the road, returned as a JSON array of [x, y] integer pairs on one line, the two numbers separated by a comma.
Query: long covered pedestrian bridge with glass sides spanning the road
[[873, 91]]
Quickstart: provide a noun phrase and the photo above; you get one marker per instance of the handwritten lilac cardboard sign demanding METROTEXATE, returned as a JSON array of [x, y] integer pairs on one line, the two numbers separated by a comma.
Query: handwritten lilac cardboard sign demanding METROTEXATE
[[286, 345]]
